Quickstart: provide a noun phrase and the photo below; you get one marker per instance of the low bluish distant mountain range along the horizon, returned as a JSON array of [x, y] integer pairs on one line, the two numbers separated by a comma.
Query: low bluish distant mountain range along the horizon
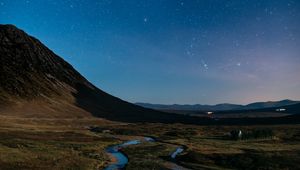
[[219, 107]]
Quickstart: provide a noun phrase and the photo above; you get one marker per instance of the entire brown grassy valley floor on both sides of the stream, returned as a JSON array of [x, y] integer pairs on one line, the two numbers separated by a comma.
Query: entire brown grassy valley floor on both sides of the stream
[[70, 144]]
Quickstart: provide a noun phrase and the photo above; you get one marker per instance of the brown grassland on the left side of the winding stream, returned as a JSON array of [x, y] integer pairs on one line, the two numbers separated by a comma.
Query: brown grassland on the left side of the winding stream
[[51, 144]]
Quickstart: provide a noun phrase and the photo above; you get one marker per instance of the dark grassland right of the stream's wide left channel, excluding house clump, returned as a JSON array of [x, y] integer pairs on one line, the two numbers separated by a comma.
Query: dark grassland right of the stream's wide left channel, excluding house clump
[[208, 147]]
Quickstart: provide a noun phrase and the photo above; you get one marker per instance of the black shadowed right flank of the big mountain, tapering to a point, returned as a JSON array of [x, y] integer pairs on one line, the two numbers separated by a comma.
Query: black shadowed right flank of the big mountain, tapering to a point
[[101, 104]]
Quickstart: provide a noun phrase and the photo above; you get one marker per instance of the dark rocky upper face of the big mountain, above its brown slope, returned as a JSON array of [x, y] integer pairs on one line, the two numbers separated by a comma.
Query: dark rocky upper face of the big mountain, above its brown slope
[[28, 68]]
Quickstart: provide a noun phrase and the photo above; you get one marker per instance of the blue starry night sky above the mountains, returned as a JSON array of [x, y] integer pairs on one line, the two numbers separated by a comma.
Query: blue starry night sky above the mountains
[[172, 51]]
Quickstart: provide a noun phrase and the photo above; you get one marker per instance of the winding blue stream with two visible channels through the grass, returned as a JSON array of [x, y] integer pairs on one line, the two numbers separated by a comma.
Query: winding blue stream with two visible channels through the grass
[[121, 160]]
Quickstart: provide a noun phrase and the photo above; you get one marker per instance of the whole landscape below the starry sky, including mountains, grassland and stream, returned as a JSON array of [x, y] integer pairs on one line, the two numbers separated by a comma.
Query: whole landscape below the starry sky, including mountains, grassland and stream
[[52, 117]]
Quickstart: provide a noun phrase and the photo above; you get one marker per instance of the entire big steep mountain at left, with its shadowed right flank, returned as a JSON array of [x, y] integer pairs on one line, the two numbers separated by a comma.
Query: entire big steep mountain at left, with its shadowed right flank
[[35, 82]]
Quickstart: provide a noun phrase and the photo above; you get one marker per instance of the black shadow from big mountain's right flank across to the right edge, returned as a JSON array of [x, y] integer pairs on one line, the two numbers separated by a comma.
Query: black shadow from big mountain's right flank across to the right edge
[[101, 104]]
